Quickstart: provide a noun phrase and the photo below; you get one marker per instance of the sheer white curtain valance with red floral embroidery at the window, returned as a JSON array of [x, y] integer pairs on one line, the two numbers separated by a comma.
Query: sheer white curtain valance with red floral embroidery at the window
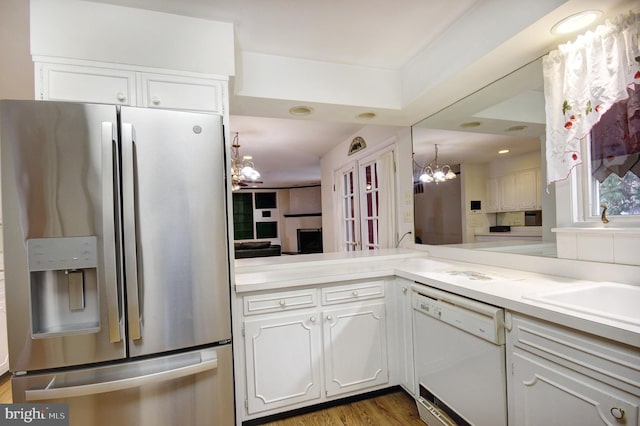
[[582, 80]]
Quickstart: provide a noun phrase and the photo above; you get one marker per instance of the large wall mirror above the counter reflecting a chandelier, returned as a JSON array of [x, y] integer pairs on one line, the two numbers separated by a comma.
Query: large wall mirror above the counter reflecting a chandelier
[[493, 141]]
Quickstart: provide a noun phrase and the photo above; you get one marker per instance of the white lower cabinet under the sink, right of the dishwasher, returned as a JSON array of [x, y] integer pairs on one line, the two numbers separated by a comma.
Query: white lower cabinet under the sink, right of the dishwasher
[[561, 377]]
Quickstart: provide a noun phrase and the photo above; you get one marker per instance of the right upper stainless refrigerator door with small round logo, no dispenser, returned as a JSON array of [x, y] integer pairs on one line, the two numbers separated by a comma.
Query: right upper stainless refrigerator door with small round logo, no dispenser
[[175, 230]]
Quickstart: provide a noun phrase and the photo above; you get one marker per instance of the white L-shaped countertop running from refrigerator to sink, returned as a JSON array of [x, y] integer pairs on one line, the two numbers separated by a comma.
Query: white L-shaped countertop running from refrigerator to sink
[[502, 287]]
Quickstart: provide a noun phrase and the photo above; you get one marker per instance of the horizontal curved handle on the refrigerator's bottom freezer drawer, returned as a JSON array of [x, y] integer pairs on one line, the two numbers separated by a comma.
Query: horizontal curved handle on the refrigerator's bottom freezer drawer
[[208, 361]]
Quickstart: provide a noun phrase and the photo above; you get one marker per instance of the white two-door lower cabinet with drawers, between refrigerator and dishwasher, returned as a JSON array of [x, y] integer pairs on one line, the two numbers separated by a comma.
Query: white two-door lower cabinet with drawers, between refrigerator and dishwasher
[[298, 353]]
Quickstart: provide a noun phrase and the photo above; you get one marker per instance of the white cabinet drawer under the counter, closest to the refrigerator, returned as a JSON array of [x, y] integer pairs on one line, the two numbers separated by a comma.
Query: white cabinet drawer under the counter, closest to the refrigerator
[[277, 302]]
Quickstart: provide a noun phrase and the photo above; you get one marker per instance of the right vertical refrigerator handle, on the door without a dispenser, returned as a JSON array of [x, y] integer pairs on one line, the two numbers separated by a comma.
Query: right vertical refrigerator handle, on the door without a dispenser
[[129, 227]]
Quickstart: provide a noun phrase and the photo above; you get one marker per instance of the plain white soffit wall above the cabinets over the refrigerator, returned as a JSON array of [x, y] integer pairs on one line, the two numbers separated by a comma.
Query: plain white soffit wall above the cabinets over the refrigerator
[[101, 32]]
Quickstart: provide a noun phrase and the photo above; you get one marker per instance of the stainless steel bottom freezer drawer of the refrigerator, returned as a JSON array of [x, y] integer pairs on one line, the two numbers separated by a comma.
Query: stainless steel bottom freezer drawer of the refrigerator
[[190, 389]]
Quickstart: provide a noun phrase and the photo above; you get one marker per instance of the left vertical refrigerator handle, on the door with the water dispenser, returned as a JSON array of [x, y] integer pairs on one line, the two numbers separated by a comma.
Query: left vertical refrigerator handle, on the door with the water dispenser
[[108, 232]]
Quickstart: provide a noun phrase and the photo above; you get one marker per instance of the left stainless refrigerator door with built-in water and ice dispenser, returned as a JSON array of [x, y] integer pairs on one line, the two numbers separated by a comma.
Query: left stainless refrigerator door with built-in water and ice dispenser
[[58, 194]]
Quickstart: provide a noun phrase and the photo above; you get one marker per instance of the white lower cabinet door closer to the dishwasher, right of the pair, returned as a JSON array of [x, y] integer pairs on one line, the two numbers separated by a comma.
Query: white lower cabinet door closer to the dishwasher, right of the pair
[[355, 348]]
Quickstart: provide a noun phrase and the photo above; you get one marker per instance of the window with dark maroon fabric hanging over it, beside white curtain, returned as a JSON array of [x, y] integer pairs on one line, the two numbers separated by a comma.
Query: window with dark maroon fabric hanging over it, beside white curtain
[[614, 148]]
